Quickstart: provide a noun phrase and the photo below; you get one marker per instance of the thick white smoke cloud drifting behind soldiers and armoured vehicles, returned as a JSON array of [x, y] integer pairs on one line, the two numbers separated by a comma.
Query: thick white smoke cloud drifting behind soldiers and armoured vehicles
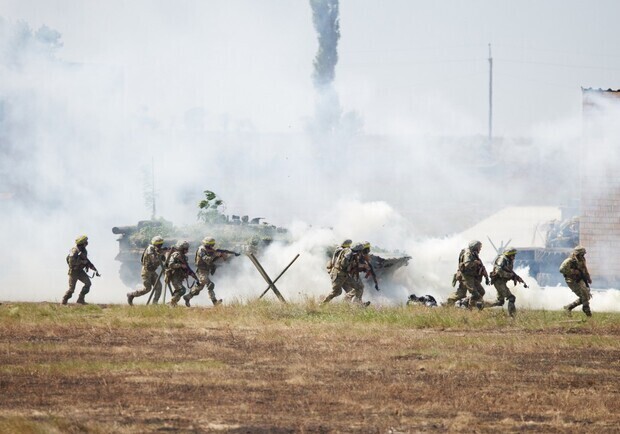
[[74, 152]]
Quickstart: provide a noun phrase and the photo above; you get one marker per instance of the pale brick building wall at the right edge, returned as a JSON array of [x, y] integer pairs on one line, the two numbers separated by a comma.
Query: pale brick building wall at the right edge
[[600, 184]]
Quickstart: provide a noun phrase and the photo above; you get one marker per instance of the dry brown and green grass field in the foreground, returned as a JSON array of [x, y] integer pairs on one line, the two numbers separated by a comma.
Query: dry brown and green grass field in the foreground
[[272, 368]]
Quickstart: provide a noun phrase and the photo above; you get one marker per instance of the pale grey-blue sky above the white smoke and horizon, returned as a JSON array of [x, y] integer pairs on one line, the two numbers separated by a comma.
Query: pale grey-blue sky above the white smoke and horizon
[[397, 59]]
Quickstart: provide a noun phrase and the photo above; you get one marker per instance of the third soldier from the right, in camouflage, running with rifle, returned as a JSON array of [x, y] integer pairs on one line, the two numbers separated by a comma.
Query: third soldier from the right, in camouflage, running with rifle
[[470, 271]]
